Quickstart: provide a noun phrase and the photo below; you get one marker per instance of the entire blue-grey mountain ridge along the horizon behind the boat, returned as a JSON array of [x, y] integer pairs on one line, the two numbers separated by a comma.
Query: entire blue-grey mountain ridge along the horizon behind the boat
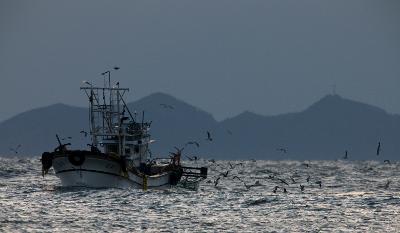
[[322, 131]]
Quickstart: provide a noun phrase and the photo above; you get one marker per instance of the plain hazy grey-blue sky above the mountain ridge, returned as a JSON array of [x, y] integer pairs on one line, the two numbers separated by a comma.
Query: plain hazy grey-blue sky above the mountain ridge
[[225, 57]]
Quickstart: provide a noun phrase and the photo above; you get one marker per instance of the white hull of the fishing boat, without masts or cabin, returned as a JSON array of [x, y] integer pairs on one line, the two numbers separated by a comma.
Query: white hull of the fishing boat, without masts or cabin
[[97, 172]]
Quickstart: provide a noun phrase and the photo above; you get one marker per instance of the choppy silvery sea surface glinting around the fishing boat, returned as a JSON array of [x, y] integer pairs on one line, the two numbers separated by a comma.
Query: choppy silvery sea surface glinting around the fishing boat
[[354, 196]]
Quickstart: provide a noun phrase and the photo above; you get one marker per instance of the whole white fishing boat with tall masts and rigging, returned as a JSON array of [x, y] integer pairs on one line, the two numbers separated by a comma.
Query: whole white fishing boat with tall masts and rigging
[[119, 155]]
